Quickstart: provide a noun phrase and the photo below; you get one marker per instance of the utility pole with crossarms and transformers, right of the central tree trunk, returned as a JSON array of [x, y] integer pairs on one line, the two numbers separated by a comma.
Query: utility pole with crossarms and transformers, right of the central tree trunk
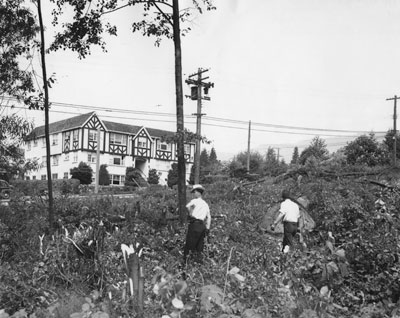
[[198, 85]]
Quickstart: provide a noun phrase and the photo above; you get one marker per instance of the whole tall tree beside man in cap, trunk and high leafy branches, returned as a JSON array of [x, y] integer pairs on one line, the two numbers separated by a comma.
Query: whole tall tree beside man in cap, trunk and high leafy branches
[[89, 24]]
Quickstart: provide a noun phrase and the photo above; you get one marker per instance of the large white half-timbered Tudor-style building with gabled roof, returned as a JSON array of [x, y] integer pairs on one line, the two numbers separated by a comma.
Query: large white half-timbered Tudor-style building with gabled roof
[[75, 140]]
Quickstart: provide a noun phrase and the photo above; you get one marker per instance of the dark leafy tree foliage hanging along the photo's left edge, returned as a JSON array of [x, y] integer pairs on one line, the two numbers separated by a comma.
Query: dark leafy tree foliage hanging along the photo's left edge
[[18, 30]]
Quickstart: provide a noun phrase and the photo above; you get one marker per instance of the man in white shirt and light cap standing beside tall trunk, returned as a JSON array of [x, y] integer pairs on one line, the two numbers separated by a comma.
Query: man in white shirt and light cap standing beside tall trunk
[[199, 224]]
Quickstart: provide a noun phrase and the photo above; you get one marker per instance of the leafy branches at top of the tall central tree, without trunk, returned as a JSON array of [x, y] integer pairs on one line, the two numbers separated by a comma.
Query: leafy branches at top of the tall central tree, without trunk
[[89, 23]]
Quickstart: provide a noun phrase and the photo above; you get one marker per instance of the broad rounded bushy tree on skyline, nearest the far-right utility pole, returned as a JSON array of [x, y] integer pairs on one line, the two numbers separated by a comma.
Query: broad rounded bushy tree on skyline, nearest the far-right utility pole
[[366, 150]]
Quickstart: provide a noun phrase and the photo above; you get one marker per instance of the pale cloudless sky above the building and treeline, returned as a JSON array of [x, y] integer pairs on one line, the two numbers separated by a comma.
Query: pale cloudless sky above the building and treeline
[[327, 64]]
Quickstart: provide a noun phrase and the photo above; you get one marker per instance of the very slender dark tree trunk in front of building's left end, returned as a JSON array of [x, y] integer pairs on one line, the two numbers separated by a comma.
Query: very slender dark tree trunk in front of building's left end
[[46, 115]]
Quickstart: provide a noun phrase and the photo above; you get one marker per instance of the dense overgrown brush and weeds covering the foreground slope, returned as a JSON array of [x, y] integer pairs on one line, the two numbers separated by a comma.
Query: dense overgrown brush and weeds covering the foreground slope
[[352, 272]]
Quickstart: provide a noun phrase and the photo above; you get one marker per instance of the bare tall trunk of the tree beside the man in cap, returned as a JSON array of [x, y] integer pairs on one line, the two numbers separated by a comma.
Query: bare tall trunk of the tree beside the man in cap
[[179, 113]]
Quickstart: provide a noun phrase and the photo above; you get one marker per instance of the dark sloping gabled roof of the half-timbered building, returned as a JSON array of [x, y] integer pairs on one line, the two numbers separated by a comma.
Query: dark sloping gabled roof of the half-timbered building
[[79, 121]]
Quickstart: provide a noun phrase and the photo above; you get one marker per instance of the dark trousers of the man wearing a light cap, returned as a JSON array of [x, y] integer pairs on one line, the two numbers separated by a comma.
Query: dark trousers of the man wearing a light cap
[[194, 239]]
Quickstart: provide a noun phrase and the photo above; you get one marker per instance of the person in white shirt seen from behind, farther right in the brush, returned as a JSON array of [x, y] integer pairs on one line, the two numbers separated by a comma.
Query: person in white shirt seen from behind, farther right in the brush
[[289, 213]]
